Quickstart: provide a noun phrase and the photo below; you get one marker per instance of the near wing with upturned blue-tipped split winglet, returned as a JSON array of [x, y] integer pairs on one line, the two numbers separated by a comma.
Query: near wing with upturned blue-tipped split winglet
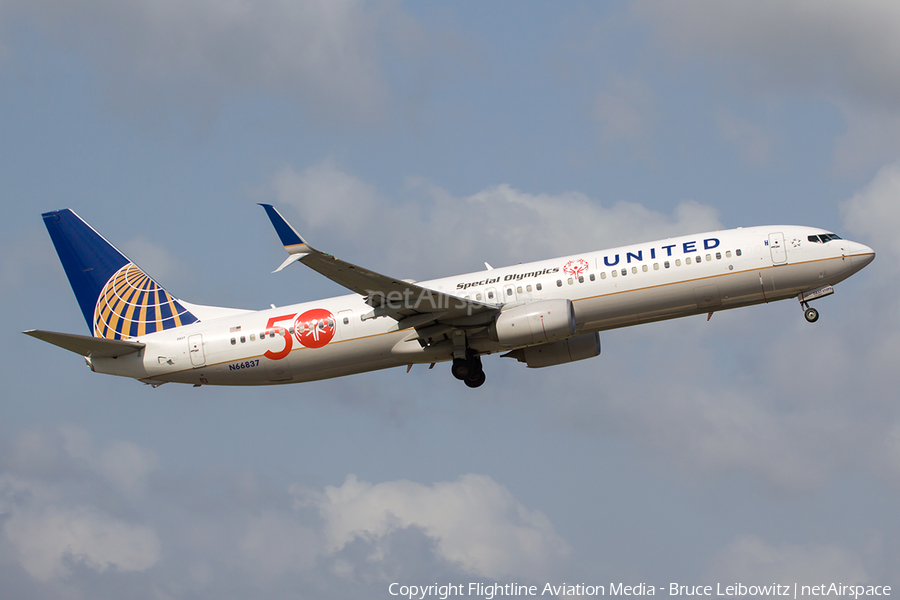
[[412, 304]]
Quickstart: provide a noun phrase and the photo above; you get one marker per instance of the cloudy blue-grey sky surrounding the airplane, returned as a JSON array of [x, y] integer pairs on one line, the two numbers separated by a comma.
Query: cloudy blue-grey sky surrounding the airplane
[[421, 140]]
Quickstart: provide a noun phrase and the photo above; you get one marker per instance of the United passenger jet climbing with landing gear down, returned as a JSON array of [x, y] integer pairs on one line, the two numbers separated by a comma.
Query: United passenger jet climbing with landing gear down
[[542, 313]]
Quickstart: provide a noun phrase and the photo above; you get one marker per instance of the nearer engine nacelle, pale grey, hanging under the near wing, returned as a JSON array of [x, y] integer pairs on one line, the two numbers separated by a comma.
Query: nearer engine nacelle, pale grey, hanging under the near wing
[[535, 323]]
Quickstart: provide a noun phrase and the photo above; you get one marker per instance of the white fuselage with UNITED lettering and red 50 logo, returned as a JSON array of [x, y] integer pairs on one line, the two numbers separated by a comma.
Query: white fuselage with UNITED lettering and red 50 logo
[[613, 288]]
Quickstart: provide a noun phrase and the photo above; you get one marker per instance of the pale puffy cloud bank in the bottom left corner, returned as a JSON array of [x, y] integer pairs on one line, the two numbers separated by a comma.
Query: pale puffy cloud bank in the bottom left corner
[[47, 524]]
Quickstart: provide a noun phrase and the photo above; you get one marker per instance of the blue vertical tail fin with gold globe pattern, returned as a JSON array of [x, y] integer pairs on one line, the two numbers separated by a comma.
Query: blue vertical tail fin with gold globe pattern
[[117, 298]]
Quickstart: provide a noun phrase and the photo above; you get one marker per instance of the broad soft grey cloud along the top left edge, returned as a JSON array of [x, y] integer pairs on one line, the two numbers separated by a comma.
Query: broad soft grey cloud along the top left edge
[[197, 53]]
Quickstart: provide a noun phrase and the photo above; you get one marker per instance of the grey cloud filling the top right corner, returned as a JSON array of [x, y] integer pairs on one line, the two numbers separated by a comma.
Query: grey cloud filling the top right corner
[[845, 53]]
